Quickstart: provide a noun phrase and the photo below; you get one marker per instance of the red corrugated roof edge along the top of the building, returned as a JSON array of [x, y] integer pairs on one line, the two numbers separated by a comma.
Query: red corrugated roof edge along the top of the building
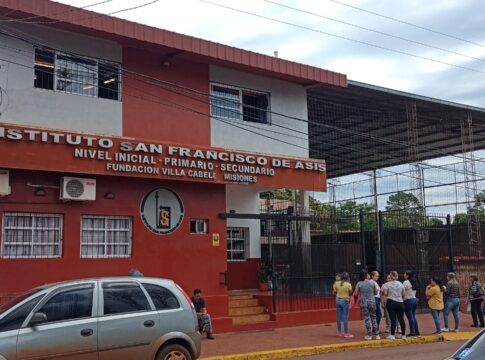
[[108, 26]]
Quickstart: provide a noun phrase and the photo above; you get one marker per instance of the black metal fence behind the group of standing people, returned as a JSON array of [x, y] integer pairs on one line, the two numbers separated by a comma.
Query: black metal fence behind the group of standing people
[[304, 268]]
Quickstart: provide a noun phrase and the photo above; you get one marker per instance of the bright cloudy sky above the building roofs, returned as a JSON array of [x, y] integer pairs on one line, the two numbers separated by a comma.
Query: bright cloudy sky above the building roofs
[[305, 41]]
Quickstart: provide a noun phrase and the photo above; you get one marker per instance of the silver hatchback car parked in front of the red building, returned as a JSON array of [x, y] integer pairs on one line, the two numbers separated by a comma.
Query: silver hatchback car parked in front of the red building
[[123, 318]]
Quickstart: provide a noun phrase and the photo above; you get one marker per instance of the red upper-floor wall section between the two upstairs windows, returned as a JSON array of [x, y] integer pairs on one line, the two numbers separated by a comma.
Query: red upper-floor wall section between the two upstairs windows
[[151, 112]]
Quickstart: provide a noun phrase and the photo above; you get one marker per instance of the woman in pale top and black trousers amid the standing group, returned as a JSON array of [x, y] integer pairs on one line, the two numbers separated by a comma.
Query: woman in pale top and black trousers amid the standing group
[[394, 291]]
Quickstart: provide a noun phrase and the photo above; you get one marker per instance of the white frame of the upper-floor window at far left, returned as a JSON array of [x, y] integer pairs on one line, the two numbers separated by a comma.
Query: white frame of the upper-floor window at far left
[[95, 85]]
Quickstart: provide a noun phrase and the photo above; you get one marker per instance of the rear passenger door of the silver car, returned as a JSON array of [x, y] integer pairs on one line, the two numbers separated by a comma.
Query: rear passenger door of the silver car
[[128, 322]]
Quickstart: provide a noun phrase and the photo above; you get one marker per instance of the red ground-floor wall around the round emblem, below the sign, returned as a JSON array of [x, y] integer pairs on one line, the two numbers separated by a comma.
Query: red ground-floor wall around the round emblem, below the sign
[[189, 259]]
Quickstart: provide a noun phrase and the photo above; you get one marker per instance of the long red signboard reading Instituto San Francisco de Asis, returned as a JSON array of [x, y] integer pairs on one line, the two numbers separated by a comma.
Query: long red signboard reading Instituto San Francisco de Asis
[[36, 149]]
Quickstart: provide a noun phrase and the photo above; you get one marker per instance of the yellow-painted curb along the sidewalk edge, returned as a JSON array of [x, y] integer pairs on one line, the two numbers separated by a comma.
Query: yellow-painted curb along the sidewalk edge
[[330, 348]]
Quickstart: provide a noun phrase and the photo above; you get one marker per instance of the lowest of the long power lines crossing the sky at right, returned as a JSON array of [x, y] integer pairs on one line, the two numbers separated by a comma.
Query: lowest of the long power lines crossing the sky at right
[[303, 27]]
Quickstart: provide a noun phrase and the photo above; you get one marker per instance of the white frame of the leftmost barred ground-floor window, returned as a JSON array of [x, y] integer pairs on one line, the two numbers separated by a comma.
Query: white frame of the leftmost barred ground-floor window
[[33, 228]]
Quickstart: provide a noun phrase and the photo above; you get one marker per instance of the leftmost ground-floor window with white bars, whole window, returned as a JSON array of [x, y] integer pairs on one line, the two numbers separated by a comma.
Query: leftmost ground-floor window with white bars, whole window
[[31, 235]]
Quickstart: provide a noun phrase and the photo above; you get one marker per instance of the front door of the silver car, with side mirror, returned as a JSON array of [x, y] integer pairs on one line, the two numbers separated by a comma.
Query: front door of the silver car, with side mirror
[[70, 327]]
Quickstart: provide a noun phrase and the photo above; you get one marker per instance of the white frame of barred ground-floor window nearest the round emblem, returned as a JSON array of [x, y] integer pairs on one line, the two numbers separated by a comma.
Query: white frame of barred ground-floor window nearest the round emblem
[[106, 230]]
